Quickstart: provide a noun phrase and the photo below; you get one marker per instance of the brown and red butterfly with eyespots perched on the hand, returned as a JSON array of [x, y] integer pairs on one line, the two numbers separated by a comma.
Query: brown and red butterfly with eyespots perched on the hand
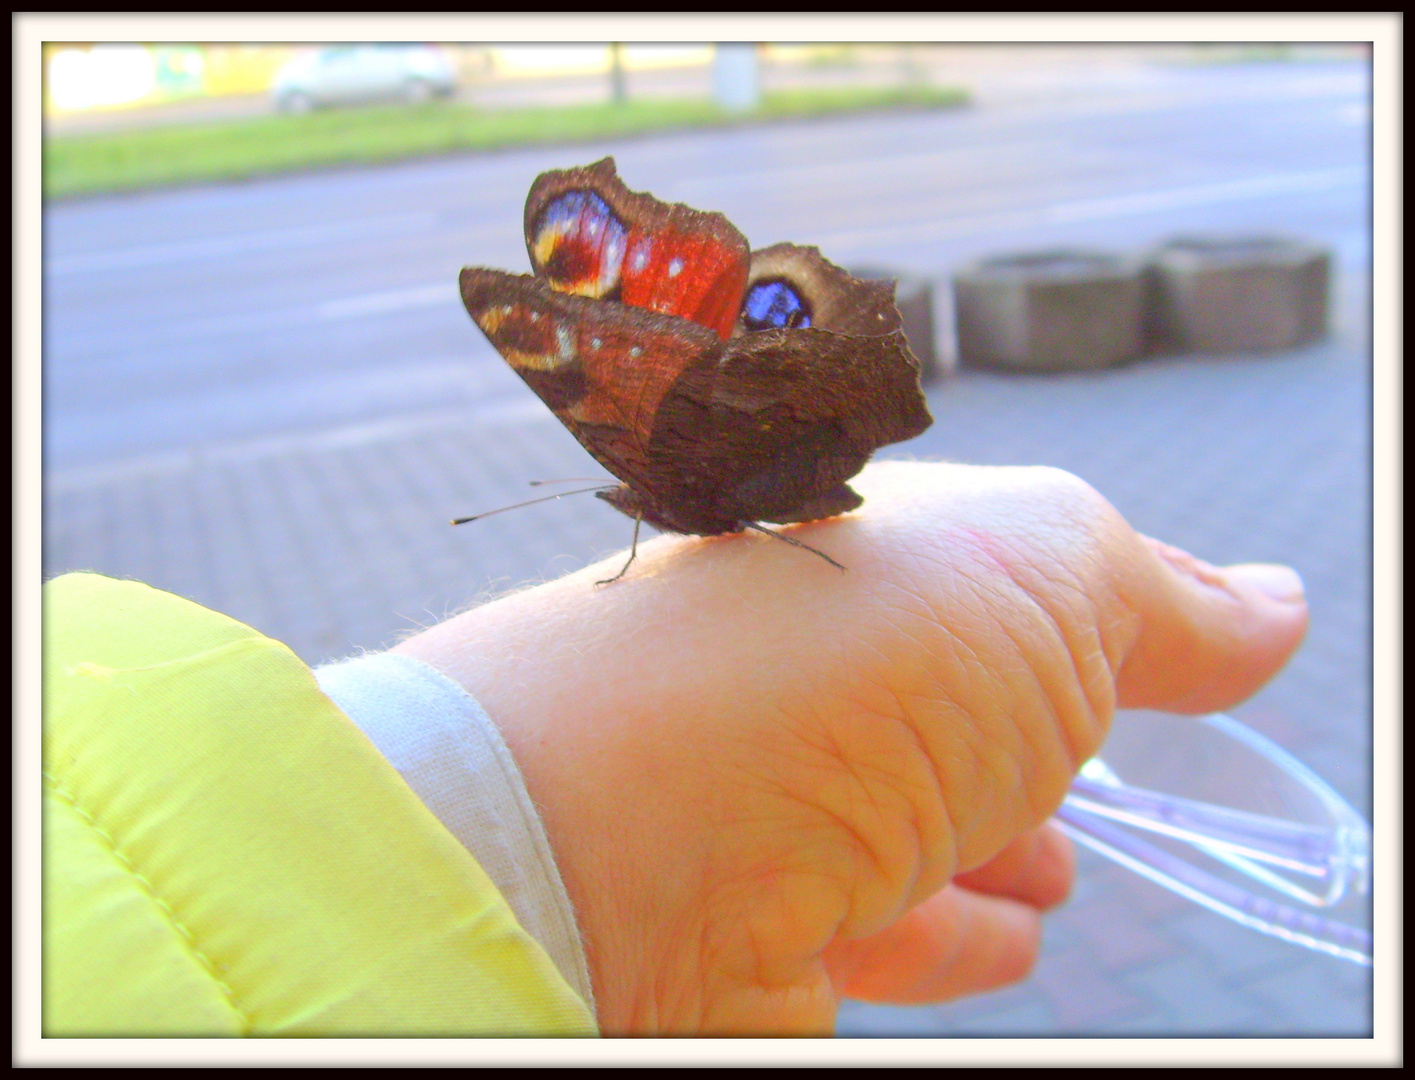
[[724, 387]]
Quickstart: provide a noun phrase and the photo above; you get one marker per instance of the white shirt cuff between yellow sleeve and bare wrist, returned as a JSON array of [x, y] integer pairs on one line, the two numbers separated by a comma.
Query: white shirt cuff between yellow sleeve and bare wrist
[[454, 758]]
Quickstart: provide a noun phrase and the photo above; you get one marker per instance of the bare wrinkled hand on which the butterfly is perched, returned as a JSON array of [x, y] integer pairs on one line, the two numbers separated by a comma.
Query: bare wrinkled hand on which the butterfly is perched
[[772, 785]]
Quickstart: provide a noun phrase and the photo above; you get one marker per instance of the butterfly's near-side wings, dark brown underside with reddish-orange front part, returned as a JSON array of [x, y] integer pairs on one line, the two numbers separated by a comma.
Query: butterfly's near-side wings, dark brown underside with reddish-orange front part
[[708, 435]]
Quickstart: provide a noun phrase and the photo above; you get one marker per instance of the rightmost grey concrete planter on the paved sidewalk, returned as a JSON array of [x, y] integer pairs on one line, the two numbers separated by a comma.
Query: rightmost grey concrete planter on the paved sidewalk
[[1237, 294]]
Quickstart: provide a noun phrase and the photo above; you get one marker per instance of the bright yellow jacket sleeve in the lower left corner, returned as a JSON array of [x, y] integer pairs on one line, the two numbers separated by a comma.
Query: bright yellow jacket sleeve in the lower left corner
[[226, 854]]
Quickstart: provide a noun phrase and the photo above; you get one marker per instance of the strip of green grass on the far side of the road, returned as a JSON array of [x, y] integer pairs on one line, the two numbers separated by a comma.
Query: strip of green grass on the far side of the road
[[90, 165]]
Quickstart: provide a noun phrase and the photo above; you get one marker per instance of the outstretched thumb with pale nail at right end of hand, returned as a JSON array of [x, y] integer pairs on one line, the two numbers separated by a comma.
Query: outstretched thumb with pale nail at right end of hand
[[1211, 636]]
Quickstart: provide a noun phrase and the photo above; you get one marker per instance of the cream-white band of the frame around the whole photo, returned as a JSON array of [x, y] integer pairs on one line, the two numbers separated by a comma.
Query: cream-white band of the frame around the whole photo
[[1383, 30]]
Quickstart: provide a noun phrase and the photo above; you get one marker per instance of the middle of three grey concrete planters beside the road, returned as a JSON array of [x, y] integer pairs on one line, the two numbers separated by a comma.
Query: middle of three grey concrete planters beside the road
[[1051, 311]]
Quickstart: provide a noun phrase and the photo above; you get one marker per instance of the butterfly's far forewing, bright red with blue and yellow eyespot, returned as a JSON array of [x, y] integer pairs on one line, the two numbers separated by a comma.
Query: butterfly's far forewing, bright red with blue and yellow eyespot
[[589, 236]]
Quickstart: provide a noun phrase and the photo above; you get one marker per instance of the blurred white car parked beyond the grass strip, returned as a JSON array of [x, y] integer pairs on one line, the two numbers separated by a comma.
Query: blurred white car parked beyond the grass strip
[[350, 74]]
